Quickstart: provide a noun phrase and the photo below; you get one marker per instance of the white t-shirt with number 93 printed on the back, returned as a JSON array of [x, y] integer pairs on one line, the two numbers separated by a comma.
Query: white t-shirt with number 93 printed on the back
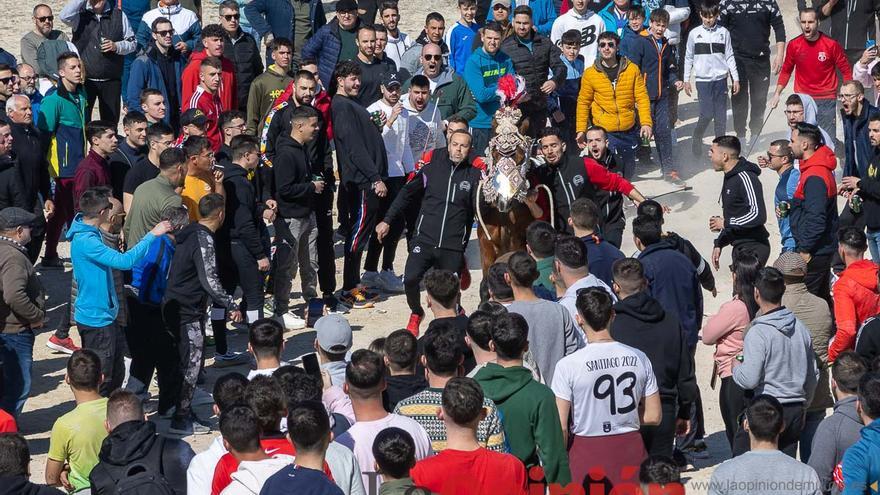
[[604, 381]]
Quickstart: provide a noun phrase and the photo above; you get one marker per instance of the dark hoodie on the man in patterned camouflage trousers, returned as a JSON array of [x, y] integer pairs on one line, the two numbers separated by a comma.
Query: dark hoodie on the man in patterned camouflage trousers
[[193, 278]]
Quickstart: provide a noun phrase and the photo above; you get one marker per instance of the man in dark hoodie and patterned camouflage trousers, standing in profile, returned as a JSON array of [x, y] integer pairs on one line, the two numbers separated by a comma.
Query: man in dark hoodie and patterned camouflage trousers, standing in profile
[[193, 281]]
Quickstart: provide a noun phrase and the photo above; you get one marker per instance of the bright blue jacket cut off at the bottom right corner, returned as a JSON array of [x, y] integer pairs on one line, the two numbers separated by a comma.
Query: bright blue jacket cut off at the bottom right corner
[[861, 463]]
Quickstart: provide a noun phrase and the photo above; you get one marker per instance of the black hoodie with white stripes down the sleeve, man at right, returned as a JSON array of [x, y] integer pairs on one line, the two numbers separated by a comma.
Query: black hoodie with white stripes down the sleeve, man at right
[[742, 201]]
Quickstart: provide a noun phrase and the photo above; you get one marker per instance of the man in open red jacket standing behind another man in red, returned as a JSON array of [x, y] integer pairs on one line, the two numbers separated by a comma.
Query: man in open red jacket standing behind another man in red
[[213, 37]]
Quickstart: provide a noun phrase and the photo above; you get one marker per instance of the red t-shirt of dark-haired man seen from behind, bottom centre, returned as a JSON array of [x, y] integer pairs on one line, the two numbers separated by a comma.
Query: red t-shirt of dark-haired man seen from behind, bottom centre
[[476, 472]]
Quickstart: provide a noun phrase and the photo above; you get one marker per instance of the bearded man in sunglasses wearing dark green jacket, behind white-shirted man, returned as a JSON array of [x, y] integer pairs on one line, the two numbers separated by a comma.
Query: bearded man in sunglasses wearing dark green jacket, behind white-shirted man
[[448, 90]]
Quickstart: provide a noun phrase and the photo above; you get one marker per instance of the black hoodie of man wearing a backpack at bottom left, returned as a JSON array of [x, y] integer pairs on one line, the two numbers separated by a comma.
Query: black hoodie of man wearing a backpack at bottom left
[[137, 442]]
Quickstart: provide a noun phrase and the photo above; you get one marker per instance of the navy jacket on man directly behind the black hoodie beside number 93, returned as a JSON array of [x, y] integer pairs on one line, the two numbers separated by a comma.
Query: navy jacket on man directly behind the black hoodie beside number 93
[[672, 281]]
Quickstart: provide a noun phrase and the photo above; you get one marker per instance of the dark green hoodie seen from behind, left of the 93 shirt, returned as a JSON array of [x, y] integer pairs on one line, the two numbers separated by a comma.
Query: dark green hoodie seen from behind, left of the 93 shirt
[[531, 420]]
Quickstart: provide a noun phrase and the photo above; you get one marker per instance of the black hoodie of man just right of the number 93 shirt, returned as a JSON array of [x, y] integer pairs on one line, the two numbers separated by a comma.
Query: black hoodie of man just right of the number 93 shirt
[[642, 323]]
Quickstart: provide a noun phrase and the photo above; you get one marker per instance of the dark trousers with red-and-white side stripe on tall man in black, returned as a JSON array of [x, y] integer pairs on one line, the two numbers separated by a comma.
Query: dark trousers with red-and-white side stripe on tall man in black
[[362, 205]]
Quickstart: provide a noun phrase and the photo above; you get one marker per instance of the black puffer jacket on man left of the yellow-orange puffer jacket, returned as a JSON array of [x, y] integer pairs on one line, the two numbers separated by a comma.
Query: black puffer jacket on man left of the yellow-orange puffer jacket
[[534, 65]]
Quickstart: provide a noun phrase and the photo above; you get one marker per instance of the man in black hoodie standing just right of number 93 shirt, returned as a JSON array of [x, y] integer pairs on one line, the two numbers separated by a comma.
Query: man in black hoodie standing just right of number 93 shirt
[[641, 322]]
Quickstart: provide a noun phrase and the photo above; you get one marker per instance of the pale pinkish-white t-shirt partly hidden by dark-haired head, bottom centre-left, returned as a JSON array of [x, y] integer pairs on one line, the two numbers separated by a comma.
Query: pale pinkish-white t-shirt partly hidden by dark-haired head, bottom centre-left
[[359, 438]]
